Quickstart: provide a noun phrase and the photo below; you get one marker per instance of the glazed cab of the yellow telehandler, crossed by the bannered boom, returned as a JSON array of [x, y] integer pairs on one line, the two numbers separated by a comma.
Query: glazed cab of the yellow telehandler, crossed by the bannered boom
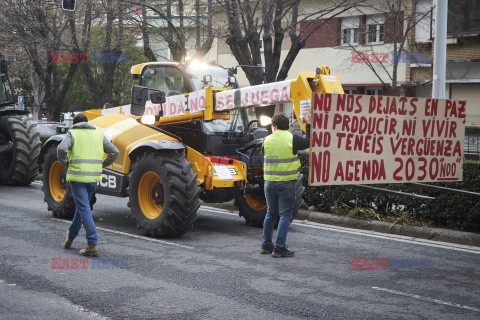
[[221, 135]]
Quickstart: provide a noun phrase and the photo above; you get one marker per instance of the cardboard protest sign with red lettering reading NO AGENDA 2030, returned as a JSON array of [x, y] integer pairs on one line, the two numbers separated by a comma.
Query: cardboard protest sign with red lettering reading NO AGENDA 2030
[[357, 139]]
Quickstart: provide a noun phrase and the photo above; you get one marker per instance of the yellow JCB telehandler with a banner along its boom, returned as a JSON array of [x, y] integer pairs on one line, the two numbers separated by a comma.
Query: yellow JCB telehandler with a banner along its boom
[[190, 140]]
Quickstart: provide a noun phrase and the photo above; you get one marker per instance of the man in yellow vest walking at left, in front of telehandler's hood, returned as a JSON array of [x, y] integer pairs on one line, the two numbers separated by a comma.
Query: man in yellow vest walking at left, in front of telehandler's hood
[[82, 151]]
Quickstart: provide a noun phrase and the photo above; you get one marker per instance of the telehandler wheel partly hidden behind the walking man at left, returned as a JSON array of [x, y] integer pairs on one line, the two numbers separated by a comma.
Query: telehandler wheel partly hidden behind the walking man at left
[[56, 190]]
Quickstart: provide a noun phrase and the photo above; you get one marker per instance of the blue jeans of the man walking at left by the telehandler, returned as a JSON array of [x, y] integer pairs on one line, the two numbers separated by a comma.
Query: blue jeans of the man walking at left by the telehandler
[[82, 195]]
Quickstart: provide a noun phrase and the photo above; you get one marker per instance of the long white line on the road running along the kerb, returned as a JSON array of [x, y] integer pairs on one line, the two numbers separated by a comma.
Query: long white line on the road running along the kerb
[[373, 234]]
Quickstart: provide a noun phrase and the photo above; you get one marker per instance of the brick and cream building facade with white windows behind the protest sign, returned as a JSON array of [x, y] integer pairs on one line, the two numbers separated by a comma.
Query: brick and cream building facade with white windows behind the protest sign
[[361, 47]]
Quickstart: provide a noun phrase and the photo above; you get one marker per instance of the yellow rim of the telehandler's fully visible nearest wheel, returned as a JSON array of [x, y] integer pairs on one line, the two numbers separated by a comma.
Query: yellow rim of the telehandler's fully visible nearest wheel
[[151, 195]]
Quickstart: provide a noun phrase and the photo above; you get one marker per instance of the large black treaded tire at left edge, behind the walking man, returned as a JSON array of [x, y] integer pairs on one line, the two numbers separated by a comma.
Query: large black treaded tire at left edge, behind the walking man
[[19, 165]]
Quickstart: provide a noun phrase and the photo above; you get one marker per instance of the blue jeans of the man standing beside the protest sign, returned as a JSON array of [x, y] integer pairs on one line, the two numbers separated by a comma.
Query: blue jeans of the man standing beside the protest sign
[[280, 196]]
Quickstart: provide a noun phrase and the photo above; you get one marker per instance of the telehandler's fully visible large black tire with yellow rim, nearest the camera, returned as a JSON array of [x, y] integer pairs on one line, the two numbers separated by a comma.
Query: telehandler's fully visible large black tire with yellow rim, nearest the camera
[[163, 194]]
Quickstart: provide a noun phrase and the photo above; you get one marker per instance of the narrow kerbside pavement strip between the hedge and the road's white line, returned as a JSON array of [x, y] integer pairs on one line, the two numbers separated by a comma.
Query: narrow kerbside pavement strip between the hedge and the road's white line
[[437, 234]]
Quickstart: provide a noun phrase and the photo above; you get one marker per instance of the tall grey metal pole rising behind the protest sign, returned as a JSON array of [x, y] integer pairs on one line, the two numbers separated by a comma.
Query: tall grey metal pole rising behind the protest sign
[[440, 50]]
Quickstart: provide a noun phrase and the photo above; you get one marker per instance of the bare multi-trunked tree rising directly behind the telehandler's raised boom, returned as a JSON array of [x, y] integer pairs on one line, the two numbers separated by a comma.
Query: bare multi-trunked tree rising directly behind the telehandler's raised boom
[[275, 19]]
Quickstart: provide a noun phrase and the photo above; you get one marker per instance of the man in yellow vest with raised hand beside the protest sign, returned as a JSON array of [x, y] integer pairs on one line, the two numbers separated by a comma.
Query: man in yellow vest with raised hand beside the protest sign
[[280, 172]]
